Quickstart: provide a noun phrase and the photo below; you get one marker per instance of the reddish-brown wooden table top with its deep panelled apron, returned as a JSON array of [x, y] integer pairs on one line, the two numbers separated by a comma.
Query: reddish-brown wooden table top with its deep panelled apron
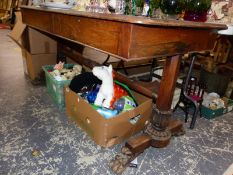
[[124, 36]]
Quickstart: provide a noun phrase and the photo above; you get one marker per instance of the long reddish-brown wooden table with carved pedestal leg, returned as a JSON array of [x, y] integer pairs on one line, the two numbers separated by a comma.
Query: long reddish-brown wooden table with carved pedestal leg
[[131, 38]]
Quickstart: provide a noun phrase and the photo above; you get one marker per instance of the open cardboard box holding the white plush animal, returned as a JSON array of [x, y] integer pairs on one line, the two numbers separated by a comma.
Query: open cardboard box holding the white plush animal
[[108, 132]]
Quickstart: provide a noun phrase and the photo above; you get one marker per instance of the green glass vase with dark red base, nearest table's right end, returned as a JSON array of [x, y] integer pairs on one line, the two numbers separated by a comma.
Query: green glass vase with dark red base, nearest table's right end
[[197, 10]]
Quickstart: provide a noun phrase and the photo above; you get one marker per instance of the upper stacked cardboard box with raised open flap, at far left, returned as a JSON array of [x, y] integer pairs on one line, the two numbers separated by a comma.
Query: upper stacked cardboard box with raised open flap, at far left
[[32, 40]]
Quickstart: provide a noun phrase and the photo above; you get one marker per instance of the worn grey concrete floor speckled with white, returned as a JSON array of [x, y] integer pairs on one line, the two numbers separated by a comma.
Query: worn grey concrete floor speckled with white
[[29, 120]]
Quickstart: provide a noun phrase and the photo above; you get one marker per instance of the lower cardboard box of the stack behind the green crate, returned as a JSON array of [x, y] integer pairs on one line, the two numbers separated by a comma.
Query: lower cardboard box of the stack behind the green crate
[[33, 63]]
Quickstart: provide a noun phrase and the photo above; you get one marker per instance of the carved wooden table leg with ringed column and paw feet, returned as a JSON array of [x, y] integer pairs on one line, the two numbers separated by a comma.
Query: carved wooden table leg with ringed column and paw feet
[[162, 127]]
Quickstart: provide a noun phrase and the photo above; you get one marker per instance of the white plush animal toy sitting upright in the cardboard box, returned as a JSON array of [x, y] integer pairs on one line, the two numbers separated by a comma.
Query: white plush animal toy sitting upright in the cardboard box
[[106, 90]]
